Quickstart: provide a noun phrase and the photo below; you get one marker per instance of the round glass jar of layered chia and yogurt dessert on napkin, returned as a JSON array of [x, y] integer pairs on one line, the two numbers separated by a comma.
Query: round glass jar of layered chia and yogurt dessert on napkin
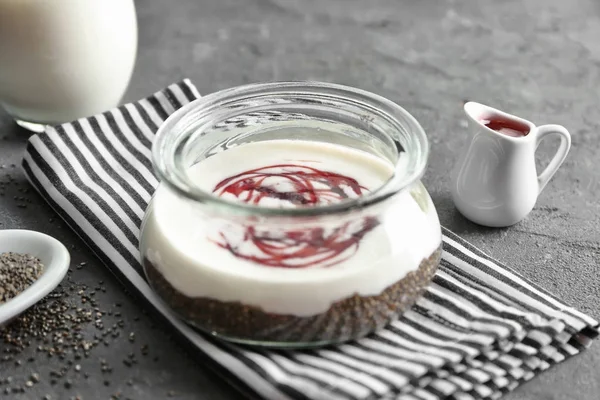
[[285, 273]]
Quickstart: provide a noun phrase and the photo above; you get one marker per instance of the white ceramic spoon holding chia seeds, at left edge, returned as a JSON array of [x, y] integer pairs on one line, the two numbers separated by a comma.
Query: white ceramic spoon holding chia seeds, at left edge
[[53, 254]]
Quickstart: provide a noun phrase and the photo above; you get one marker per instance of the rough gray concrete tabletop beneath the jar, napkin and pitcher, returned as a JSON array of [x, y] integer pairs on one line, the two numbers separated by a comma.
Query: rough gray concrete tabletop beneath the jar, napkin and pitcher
[[536, 58]]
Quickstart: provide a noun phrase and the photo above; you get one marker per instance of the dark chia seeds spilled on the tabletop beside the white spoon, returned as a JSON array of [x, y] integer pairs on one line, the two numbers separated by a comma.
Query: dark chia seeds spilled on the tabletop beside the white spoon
[[58, 327]]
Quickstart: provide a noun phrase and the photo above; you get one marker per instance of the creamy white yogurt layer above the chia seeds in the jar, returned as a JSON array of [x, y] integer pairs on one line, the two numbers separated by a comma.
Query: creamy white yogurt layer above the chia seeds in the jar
[[181, 242]]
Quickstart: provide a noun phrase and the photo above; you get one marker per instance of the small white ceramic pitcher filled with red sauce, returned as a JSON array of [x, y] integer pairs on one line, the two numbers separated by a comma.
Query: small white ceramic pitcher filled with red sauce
[[496, 183]]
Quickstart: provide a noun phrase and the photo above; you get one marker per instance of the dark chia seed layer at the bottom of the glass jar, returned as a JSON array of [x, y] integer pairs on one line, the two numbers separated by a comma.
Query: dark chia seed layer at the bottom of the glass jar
[[347, 319]]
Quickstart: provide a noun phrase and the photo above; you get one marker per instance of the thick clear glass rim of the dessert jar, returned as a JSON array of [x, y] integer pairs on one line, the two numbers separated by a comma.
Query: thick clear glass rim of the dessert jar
[[177, 179]]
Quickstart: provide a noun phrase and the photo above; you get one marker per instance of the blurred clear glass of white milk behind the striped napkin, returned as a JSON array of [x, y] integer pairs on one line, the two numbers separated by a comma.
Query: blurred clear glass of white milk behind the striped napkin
[[64, 59]]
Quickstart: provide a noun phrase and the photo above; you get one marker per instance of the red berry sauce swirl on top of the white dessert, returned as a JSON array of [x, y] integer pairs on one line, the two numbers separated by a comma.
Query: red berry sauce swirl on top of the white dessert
[[297, 185]]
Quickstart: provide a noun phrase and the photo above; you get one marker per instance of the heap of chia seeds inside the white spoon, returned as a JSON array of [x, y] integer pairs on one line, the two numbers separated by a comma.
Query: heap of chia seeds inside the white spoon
[[17, 273]]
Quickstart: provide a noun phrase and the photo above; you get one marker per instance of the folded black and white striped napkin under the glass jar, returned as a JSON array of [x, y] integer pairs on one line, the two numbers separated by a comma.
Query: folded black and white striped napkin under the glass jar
[[480, 330]]
